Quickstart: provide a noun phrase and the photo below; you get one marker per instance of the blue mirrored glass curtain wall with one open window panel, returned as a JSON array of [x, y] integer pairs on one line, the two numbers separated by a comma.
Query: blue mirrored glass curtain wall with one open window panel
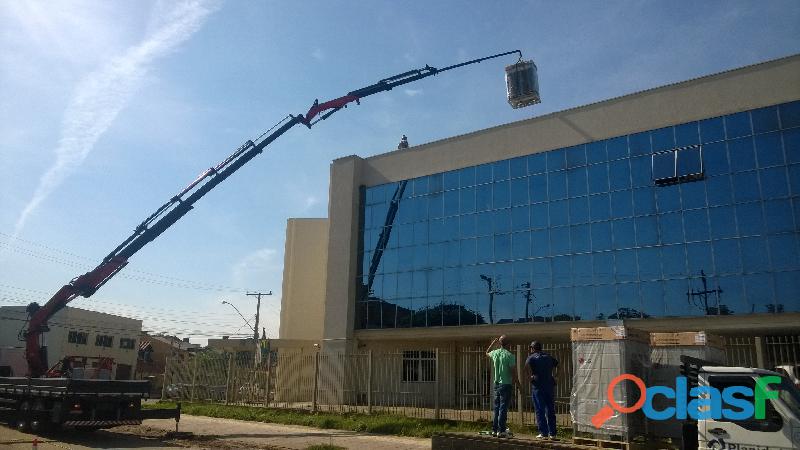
[[584, 233]]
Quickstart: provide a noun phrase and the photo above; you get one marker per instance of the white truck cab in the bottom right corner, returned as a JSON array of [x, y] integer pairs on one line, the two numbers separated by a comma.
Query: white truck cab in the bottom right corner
[[778, 429]]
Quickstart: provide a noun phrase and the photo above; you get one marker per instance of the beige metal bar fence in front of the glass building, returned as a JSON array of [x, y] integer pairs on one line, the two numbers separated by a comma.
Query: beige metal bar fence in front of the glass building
[[442, 383]]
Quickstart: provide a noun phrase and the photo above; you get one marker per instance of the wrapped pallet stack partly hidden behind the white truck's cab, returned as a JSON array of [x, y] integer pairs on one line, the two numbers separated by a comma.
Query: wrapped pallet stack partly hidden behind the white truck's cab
[[665, 356]]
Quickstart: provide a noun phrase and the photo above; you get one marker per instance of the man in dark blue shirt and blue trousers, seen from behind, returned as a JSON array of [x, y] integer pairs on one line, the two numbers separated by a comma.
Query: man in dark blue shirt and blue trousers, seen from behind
[[541, 368]]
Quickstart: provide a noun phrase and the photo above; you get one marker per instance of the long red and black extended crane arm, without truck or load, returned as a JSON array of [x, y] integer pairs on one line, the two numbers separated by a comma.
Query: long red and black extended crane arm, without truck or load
[[171, 211]]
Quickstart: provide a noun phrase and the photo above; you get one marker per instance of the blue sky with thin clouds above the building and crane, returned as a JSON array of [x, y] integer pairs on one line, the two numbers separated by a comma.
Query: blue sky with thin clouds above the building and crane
[[107, 109]]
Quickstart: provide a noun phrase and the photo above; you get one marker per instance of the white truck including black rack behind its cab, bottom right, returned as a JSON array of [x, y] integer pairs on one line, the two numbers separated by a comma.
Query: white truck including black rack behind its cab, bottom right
[[778, 427]]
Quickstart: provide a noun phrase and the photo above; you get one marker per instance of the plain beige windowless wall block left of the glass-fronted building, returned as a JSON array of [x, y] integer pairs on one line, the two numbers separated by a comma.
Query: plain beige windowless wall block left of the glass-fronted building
[[304, 275]]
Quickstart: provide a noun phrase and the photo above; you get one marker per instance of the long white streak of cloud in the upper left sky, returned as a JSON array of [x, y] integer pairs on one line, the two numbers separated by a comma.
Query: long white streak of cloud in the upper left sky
[[101, 95]]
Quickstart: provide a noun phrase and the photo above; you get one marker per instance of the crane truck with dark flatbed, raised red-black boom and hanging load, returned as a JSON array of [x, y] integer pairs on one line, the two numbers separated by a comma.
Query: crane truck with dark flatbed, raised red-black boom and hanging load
[[55, 397]]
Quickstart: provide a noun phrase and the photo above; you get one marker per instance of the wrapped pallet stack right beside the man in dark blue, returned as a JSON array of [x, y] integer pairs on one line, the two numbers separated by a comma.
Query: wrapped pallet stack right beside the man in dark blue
[[600, 355]]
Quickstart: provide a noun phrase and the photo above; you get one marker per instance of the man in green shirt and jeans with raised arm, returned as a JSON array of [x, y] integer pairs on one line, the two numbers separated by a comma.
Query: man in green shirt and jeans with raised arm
[[503, 363]]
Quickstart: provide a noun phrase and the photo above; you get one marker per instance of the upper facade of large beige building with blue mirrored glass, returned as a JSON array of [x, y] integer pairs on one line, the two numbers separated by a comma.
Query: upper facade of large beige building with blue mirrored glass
[[673, 209]]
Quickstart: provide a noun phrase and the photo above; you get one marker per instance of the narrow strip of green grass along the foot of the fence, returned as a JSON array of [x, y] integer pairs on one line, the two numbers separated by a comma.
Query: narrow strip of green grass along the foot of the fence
[[377, 423]]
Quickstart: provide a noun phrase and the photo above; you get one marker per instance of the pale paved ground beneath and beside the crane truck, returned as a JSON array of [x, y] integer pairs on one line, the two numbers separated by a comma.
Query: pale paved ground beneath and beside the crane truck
[[206, 432]]
